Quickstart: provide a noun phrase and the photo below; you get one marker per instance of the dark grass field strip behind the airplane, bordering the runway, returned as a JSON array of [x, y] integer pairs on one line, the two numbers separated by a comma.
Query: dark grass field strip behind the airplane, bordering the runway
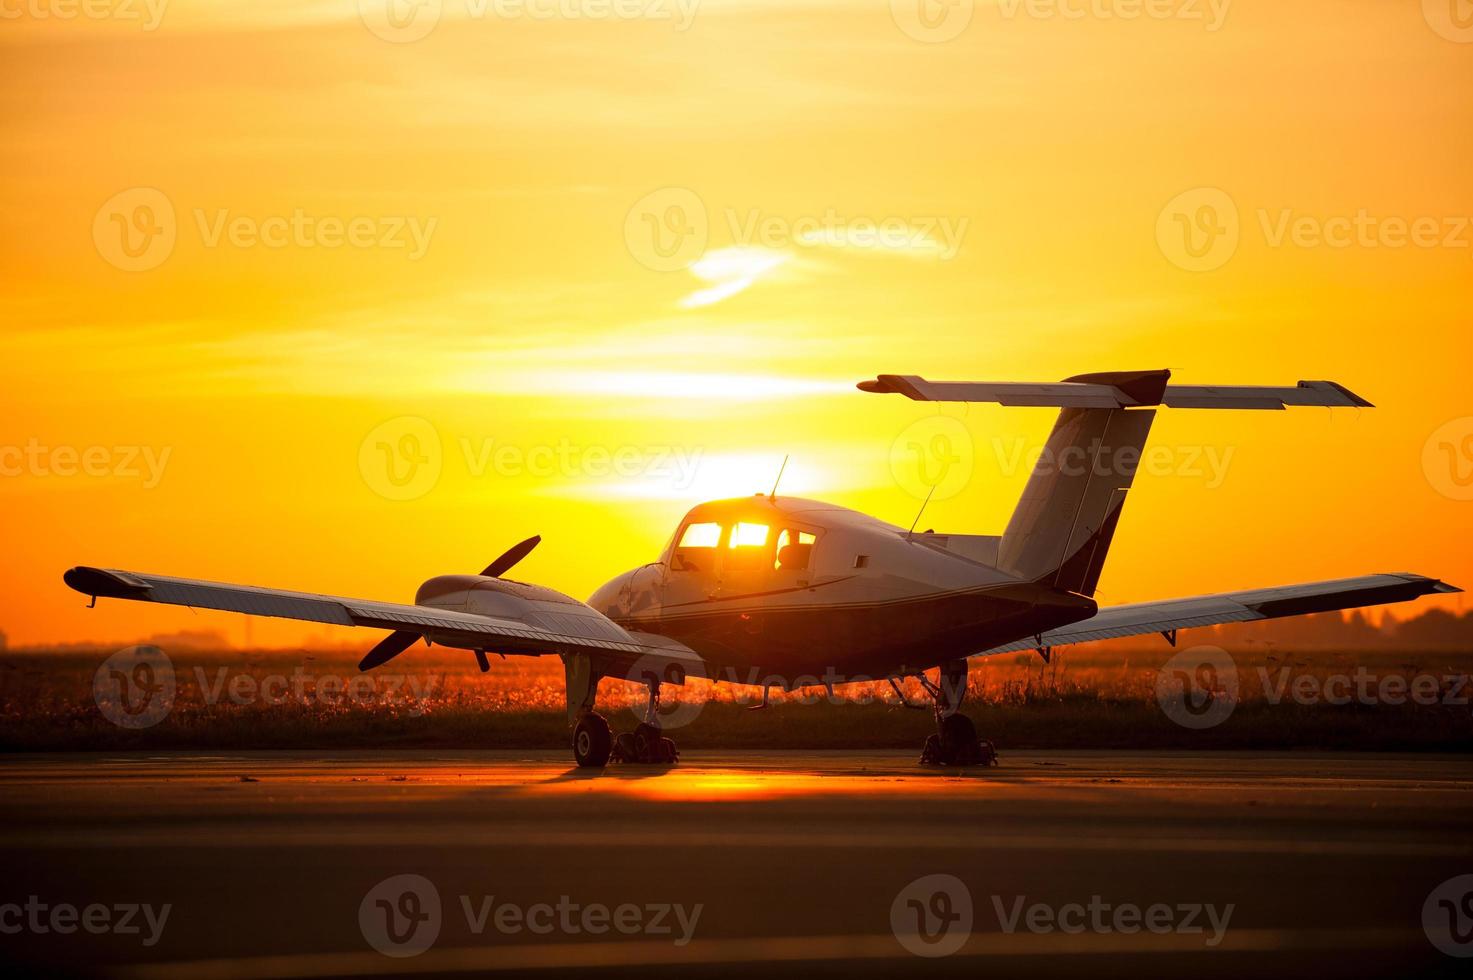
[[1086, 698]]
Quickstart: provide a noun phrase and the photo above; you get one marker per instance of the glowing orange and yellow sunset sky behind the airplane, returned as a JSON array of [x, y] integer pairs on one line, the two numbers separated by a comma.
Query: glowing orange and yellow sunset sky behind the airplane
[[675, 242]]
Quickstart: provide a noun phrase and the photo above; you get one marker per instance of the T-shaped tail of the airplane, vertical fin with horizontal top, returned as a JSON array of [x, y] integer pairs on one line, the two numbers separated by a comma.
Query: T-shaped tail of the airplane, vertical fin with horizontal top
[[1063, 527]]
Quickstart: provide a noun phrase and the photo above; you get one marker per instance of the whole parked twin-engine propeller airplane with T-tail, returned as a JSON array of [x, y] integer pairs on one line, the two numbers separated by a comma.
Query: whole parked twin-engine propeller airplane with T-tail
[[798, 593]]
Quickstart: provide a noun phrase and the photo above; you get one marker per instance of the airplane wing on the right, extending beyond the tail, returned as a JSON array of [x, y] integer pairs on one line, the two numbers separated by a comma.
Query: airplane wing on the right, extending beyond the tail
[[1167, 617]]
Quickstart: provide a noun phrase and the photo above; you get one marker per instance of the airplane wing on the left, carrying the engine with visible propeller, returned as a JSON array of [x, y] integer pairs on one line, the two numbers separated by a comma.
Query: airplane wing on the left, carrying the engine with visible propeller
[[565, 629]]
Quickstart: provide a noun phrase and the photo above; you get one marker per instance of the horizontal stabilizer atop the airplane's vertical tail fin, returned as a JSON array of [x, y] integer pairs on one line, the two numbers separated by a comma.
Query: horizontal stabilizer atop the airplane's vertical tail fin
[[1088, 393]]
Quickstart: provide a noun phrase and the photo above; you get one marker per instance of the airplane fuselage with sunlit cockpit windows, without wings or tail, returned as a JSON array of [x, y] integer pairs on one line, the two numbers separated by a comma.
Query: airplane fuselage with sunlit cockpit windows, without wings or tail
[[786, 590]]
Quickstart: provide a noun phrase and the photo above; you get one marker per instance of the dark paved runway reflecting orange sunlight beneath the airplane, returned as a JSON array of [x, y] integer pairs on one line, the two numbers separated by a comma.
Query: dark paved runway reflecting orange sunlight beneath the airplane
[[270, 864]]
